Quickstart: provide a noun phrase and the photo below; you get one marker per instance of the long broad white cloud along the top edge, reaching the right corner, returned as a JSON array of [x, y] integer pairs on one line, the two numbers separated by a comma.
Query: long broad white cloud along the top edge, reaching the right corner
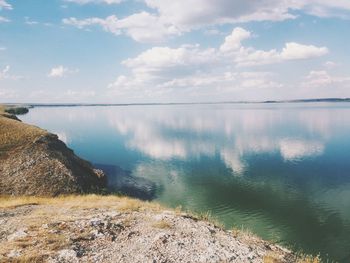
[[172, 18]]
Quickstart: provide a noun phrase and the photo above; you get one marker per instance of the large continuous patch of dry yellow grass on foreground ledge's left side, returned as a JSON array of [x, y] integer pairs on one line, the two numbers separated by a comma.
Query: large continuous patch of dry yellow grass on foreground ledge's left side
[[55, 212]]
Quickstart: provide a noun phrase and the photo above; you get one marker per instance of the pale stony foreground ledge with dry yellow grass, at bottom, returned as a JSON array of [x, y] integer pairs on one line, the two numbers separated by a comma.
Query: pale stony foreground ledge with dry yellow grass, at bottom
[[114, 229]]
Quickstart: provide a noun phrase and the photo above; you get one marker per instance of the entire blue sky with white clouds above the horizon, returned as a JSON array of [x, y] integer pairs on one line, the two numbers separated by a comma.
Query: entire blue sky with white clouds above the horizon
[[135, 51]]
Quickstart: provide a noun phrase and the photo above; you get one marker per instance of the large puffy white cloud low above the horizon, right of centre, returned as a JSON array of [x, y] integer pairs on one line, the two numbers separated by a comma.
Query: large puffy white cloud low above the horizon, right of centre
[[160, 69]]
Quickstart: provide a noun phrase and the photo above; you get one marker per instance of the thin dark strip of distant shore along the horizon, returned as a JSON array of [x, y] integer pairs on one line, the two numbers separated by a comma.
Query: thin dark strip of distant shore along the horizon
[[331, 100]]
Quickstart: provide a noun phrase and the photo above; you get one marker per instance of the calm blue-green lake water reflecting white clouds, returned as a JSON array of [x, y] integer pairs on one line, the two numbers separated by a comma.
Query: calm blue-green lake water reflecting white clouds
[[279, 170]]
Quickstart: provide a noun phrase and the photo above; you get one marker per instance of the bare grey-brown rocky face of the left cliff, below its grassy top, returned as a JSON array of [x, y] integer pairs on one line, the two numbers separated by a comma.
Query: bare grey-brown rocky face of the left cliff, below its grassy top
[[46, 167]]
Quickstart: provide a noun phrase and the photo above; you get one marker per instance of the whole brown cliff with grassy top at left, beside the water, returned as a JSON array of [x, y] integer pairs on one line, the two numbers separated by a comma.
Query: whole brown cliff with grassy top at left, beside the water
[[35, 162]]
